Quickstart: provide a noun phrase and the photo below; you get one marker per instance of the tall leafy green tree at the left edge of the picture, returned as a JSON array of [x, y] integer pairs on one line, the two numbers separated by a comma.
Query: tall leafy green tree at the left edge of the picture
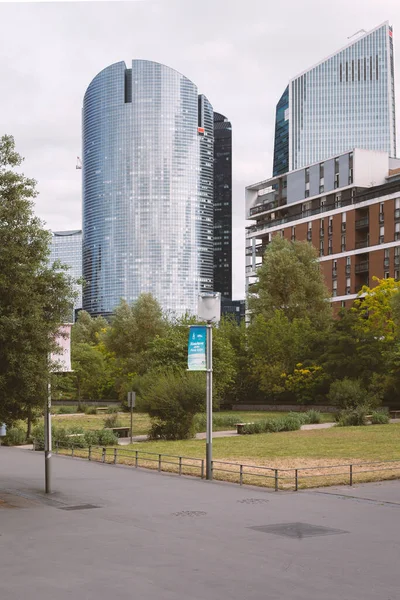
[[34, 298]]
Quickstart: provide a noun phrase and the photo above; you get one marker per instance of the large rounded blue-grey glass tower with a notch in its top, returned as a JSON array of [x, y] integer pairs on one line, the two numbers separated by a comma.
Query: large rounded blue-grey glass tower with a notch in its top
[[147, 188]]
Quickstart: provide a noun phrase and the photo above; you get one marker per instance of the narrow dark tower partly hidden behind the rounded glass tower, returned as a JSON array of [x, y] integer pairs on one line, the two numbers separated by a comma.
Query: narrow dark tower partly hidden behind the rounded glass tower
[[222, 205]]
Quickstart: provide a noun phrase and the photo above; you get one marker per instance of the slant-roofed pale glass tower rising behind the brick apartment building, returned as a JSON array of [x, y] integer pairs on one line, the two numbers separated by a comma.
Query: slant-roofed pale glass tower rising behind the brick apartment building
[[345, 101]]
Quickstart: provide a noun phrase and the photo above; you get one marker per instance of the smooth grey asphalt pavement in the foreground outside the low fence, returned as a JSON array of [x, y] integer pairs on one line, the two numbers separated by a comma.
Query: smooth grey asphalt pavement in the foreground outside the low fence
[[158, 536]]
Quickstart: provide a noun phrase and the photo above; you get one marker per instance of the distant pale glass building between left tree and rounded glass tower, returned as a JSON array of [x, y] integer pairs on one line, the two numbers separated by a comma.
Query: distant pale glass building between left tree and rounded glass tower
[[66, 246]]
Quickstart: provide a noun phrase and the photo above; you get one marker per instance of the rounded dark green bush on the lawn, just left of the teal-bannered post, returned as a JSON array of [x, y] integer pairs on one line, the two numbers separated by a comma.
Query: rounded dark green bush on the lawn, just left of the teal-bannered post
[[172, 399]]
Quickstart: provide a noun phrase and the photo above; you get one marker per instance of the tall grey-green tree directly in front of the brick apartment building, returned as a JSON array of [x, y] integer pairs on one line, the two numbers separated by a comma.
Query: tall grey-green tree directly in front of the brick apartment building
[[291, 280]]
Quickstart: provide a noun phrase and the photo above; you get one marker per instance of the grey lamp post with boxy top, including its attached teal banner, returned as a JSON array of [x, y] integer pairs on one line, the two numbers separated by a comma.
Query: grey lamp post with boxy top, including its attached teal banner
[[209, 310]]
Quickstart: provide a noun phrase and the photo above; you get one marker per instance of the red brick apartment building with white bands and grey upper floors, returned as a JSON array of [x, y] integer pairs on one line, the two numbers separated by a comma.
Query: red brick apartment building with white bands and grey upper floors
[[348, 207]]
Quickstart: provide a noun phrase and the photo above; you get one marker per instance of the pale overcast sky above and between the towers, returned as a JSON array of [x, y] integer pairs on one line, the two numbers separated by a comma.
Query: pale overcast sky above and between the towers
[[240, 54]]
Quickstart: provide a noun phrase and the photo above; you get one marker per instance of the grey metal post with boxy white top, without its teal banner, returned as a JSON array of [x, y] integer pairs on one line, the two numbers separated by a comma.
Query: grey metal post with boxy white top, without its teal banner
[[209, 309]]
